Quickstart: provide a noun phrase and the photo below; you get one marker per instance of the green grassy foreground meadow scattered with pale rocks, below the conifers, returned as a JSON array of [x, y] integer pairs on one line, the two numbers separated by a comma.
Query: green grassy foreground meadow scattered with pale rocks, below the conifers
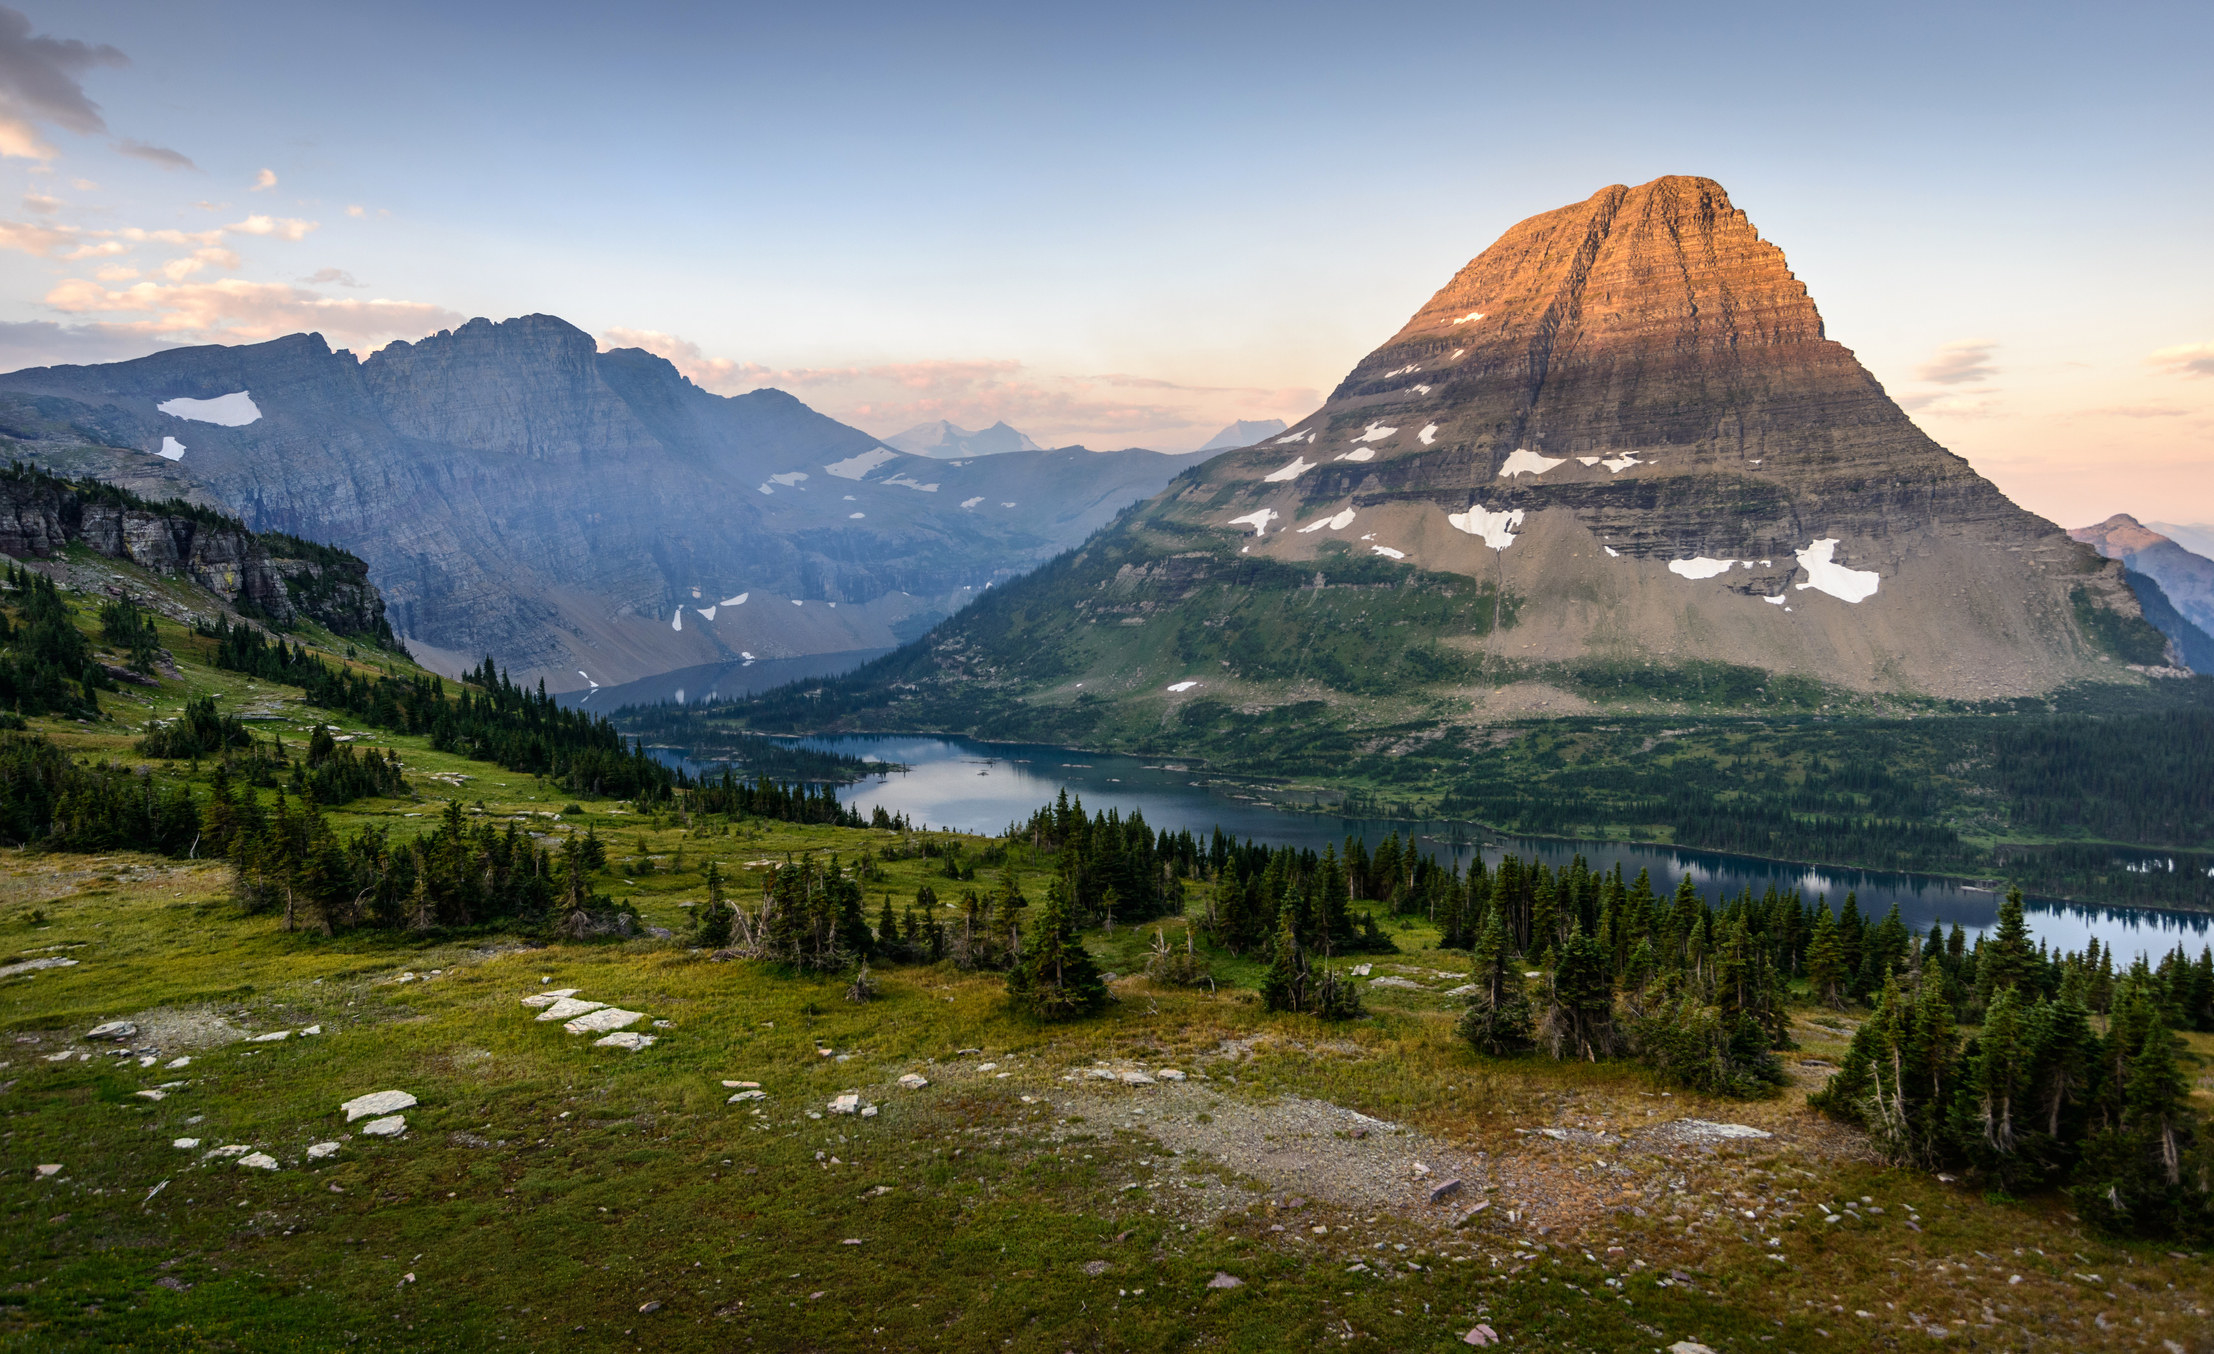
[[550, 1189]]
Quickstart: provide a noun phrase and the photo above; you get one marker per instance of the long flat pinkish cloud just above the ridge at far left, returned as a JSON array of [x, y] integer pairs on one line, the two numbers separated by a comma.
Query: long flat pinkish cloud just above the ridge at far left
[[234, 309]]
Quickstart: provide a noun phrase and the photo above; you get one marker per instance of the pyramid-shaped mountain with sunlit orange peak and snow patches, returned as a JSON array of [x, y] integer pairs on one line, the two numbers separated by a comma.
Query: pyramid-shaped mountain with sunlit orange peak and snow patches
[[1613, 464]]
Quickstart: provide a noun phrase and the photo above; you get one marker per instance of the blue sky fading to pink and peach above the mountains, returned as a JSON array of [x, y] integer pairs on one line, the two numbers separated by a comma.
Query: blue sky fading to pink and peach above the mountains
[[1126, 225]]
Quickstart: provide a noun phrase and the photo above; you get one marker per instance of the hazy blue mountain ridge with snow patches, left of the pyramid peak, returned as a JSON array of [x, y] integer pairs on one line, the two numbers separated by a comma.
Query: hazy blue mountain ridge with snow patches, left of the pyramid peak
[[583, 517]]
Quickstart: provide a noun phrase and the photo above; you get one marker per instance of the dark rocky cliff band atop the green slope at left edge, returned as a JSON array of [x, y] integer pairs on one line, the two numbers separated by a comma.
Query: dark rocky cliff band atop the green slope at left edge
[[271, 576]]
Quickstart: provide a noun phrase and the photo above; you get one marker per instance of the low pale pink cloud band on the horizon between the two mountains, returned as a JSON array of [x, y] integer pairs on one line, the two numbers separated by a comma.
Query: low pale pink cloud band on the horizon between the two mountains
[[977, 393]]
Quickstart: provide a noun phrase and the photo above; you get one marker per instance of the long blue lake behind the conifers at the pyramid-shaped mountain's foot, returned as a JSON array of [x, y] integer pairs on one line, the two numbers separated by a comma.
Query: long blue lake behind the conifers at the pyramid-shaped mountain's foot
[[986, 787]]
